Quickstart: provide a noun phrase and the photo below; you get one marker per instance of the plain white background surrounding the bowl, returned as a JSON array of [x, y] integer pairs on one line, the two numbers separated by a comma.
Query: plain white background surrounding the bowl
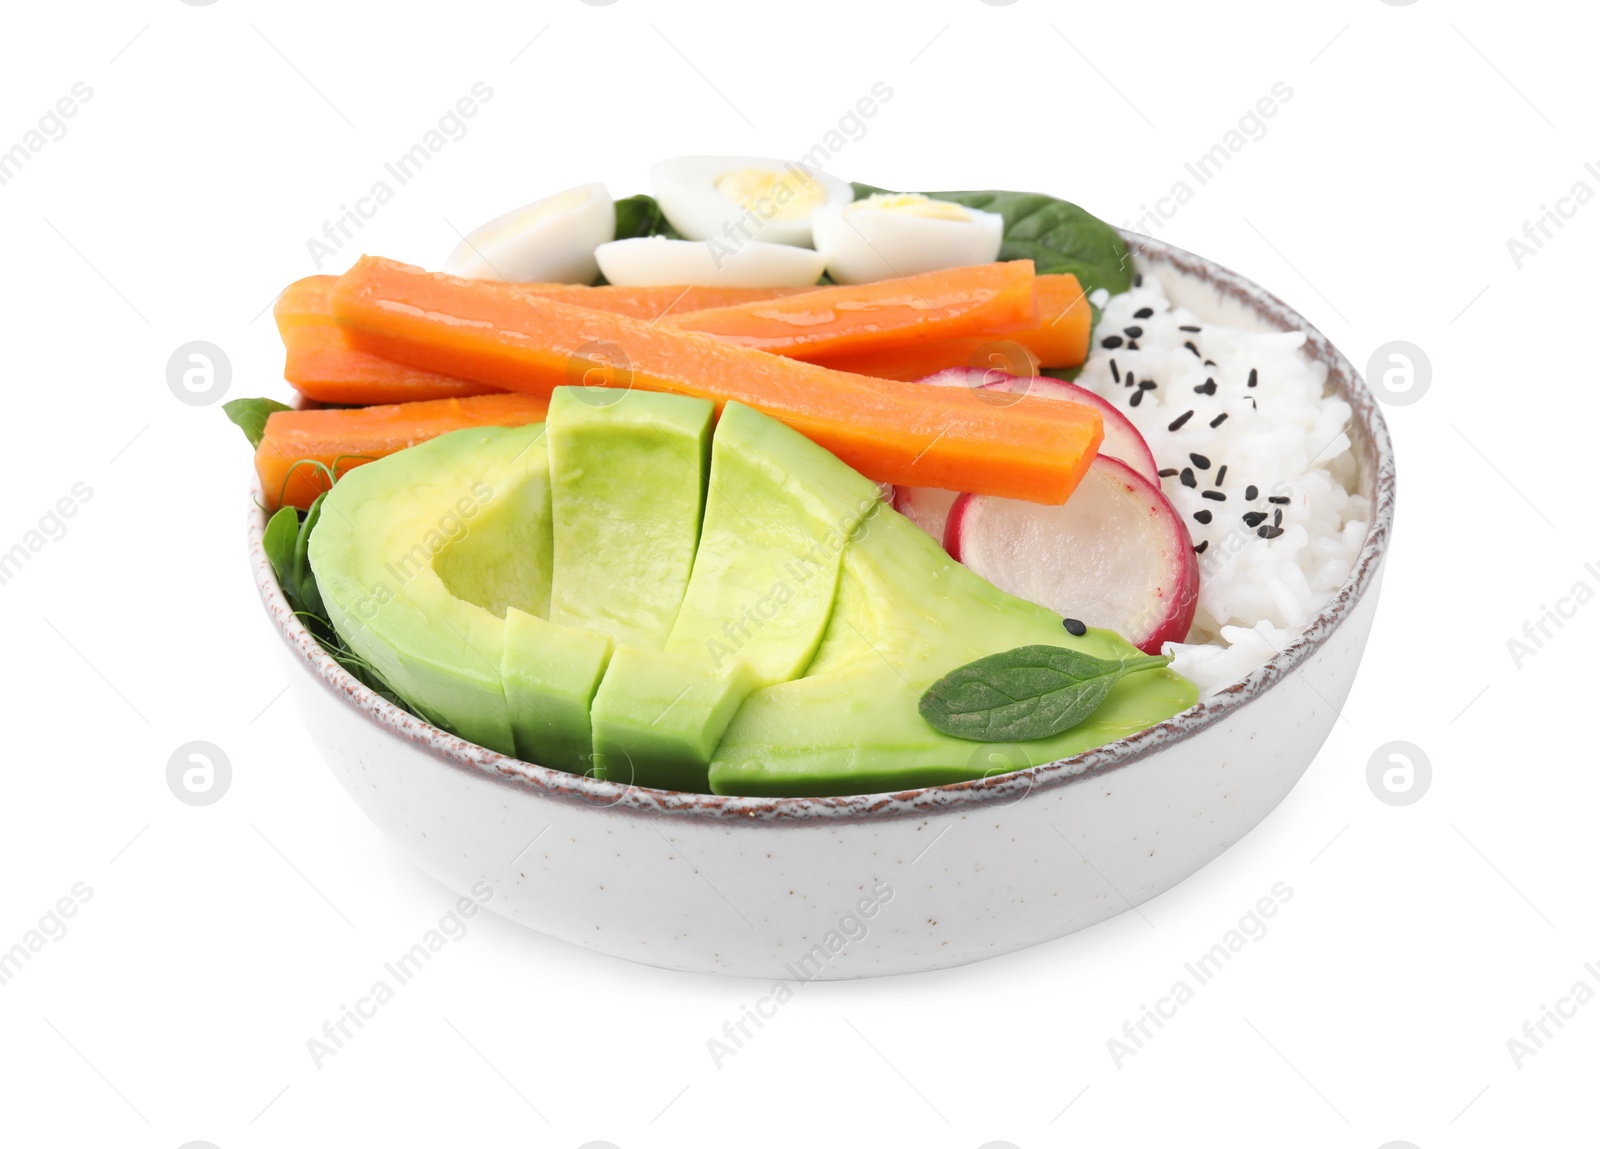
[[218, 940]]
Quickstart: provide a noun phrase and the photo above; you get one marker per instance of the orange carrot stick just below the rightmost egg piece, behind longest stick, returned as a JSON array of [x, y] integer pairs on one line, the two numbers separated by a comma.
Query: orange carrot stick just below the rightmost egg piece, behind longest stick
[[879, 319]]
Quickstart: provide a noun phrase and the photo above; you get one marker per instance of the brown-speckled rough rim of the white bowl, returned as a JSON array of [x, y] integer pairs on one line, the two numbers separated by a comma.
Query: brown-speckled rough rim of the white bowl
[[1372, 441]]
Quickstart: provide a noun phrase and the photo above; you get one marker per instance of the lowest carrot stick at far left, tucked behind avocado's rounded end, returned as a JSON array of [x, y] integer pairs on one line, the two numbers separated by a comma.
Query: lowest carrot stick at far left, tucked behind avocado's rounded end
[[303, 452]]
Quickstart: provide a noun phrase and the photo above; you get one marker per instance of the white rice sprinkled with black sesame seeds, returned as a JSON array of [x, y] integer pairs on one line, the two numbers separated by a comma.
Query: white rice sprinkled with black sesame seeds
[[1282, 436]]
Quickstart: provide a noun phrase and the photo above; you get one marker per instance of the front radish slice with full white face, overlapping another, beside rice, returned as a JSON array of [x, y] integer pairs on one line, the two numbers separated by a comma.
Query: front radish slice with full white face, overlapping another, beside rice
[[1114, 556]]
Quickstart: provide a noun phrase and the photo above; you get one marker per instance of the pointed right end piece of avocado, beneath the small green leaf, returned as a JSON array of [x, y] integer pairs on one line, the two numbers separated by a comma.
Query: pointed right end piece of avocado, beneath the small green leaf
[[905, 617]]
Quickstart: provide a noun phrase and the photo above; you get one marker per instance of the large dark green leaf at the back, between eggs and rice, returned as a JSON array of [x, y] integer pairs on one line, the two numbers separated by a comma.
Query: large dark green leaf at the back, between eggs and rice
[[1055, 234]]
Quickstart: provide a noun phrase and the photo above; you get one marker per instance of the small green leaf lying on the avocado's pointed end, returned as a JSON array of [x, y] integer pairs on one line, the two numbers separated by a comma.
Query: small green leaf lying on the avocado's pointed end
[[1026, 694]]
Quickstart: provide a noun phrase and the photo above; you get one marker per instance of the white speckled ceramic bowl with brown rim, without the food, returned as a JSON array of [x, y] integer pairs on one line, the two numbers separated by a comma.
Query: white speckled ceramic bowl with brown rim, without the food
[[874, 884]]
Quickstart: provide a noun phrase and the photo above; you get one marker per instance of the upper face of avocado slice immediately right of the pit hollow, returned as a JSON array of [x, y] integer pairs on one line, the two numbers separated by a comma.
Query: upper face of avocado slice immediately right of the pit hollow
[[628, 486]]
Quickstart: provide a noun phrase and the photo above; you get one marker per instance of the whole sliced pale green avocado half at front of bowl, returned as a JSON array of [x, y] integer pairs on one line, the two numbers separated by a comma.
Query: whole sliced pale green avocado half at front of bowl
[[636, 598]]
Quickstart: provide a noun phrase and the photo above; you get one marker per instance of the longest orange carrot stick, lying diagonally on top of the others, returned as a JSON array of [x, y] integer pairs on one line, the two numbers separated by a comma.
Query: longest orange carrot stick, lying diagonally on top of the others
[[898, 433]]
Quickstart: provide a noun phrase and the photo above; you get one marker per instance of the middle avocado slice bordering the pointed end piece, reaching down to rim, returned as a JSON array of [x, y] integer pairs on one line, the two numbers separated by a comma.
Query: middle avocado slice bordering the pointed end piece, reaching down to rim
[[780, 513]]
